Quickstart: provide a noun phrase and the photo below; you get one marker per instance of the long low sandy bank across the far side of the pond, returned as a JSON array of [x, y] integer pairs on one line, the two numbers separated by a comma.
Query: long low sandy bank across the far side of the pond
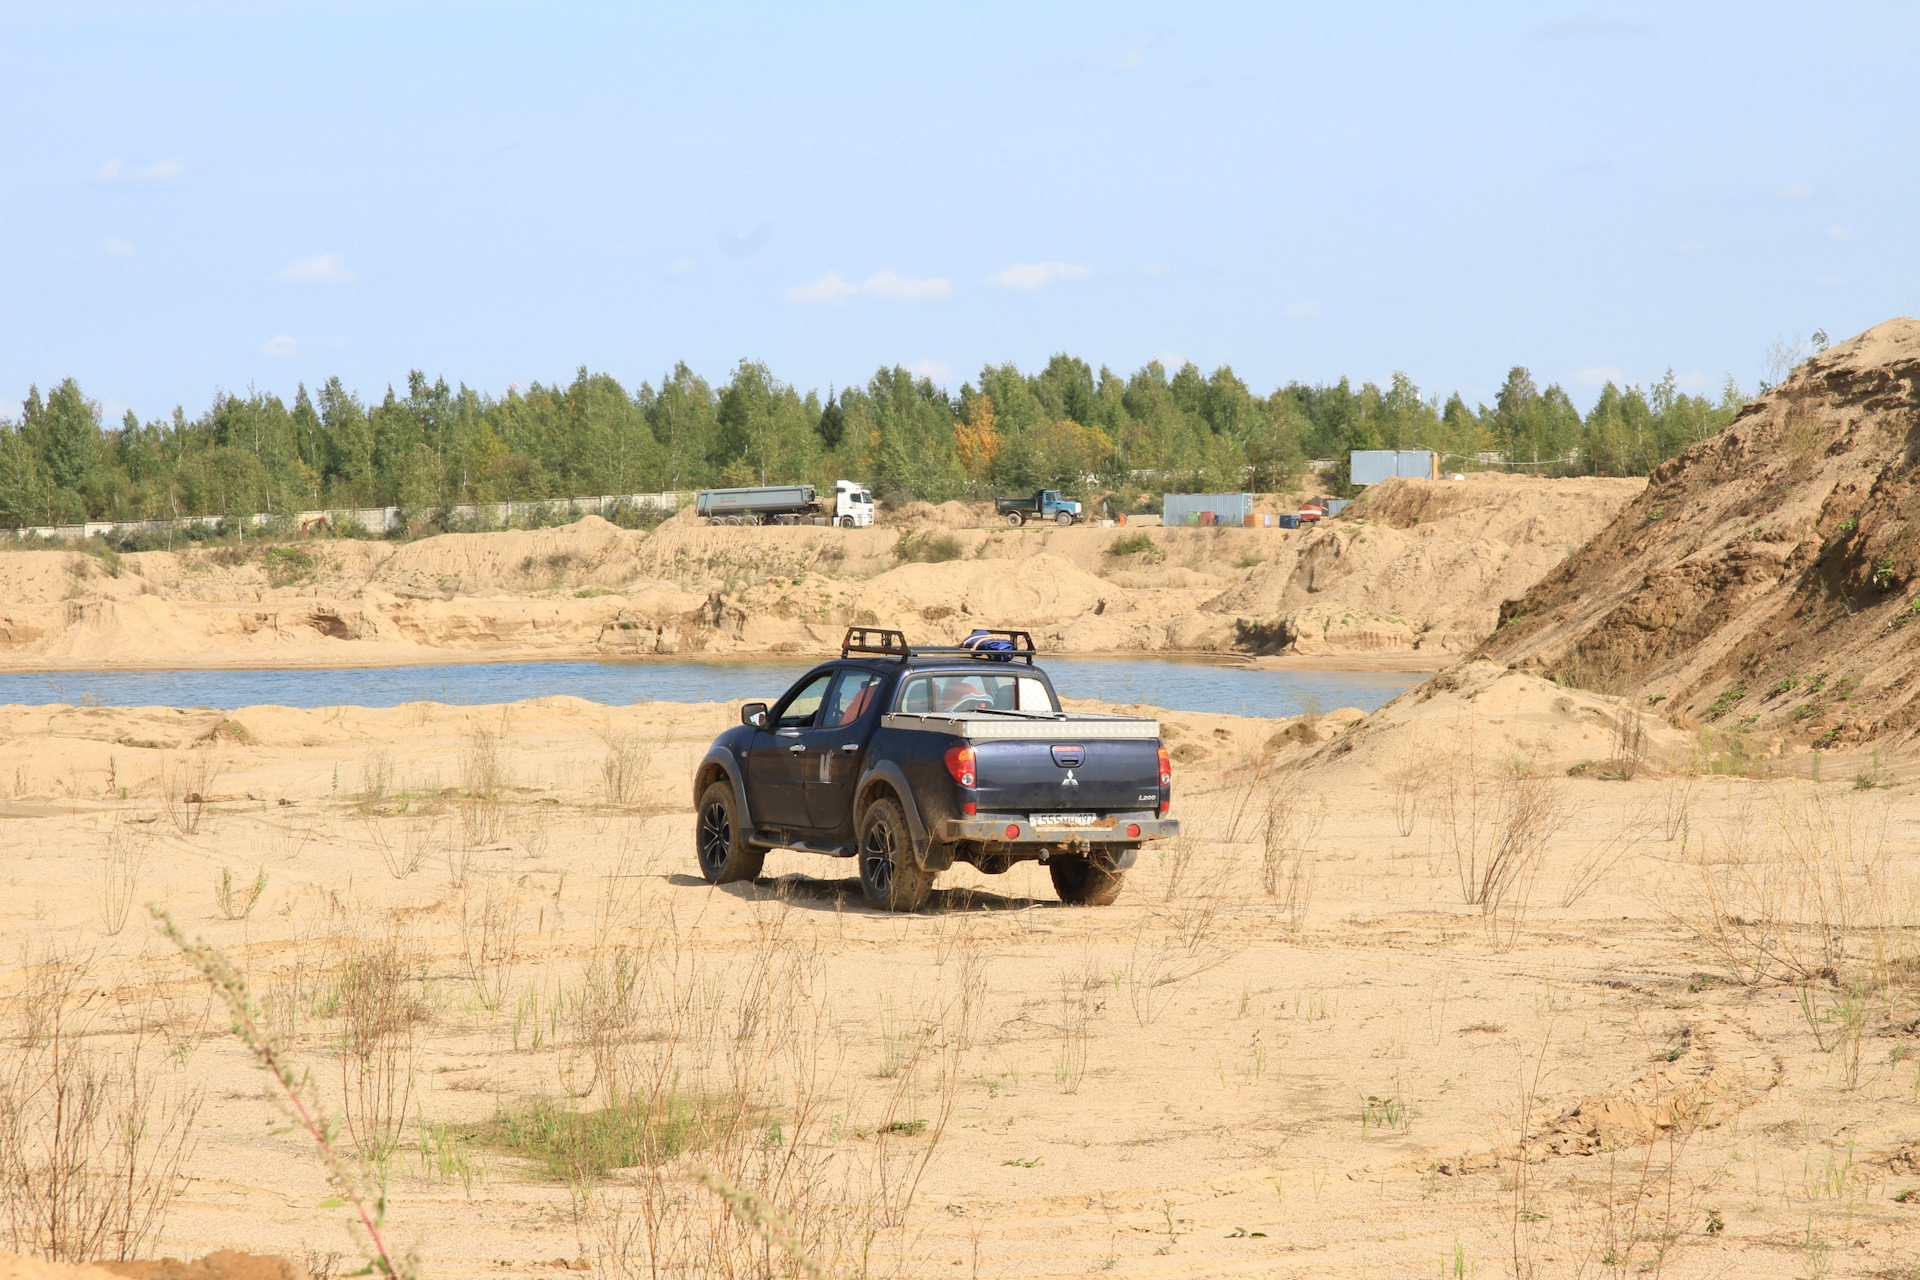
[[1414, 569]]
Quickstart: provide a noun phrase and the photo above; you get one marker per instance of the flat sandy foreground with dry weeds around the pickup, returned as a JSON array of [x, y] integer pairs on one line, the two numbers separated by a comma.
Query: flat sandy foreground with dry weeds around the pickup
[[1353, 1076]]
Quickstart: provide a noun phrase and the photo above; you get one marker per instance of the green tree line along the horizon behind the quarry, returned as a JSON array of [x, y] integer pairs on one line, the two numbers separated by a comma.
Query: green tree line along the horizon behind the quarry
[[1005, 433]]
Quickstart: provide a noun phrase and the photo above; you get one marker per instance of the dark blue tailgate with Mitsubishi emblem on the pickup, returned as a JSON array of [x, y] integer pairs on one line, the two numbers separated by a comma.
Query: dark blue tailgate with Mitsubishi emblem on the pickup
[[1068, 774]]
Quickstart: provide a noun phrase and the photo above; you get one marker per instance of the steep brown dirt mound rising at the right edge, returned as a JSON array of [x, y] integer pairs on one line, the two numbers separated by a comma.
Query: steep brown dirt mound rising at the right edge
[[1769, 579]]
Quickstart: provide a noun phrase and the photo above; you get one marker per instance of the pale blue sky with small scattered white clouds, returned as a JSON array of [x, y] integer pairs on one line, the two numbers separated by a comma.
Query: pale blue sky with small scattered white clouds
[[201, 197]]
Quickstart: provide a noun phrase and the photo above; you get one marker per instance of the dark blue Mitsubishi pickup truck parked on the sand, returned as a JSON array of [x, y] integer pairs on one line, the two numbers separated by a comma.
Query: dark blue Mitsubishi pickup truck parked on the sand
[[911, 759]]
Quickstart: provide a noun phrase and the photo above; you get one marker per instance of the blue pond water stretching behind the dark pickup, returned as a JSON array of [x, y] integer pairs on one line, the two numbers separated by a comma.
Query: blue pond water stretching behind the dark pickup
[[1161, 682]]
